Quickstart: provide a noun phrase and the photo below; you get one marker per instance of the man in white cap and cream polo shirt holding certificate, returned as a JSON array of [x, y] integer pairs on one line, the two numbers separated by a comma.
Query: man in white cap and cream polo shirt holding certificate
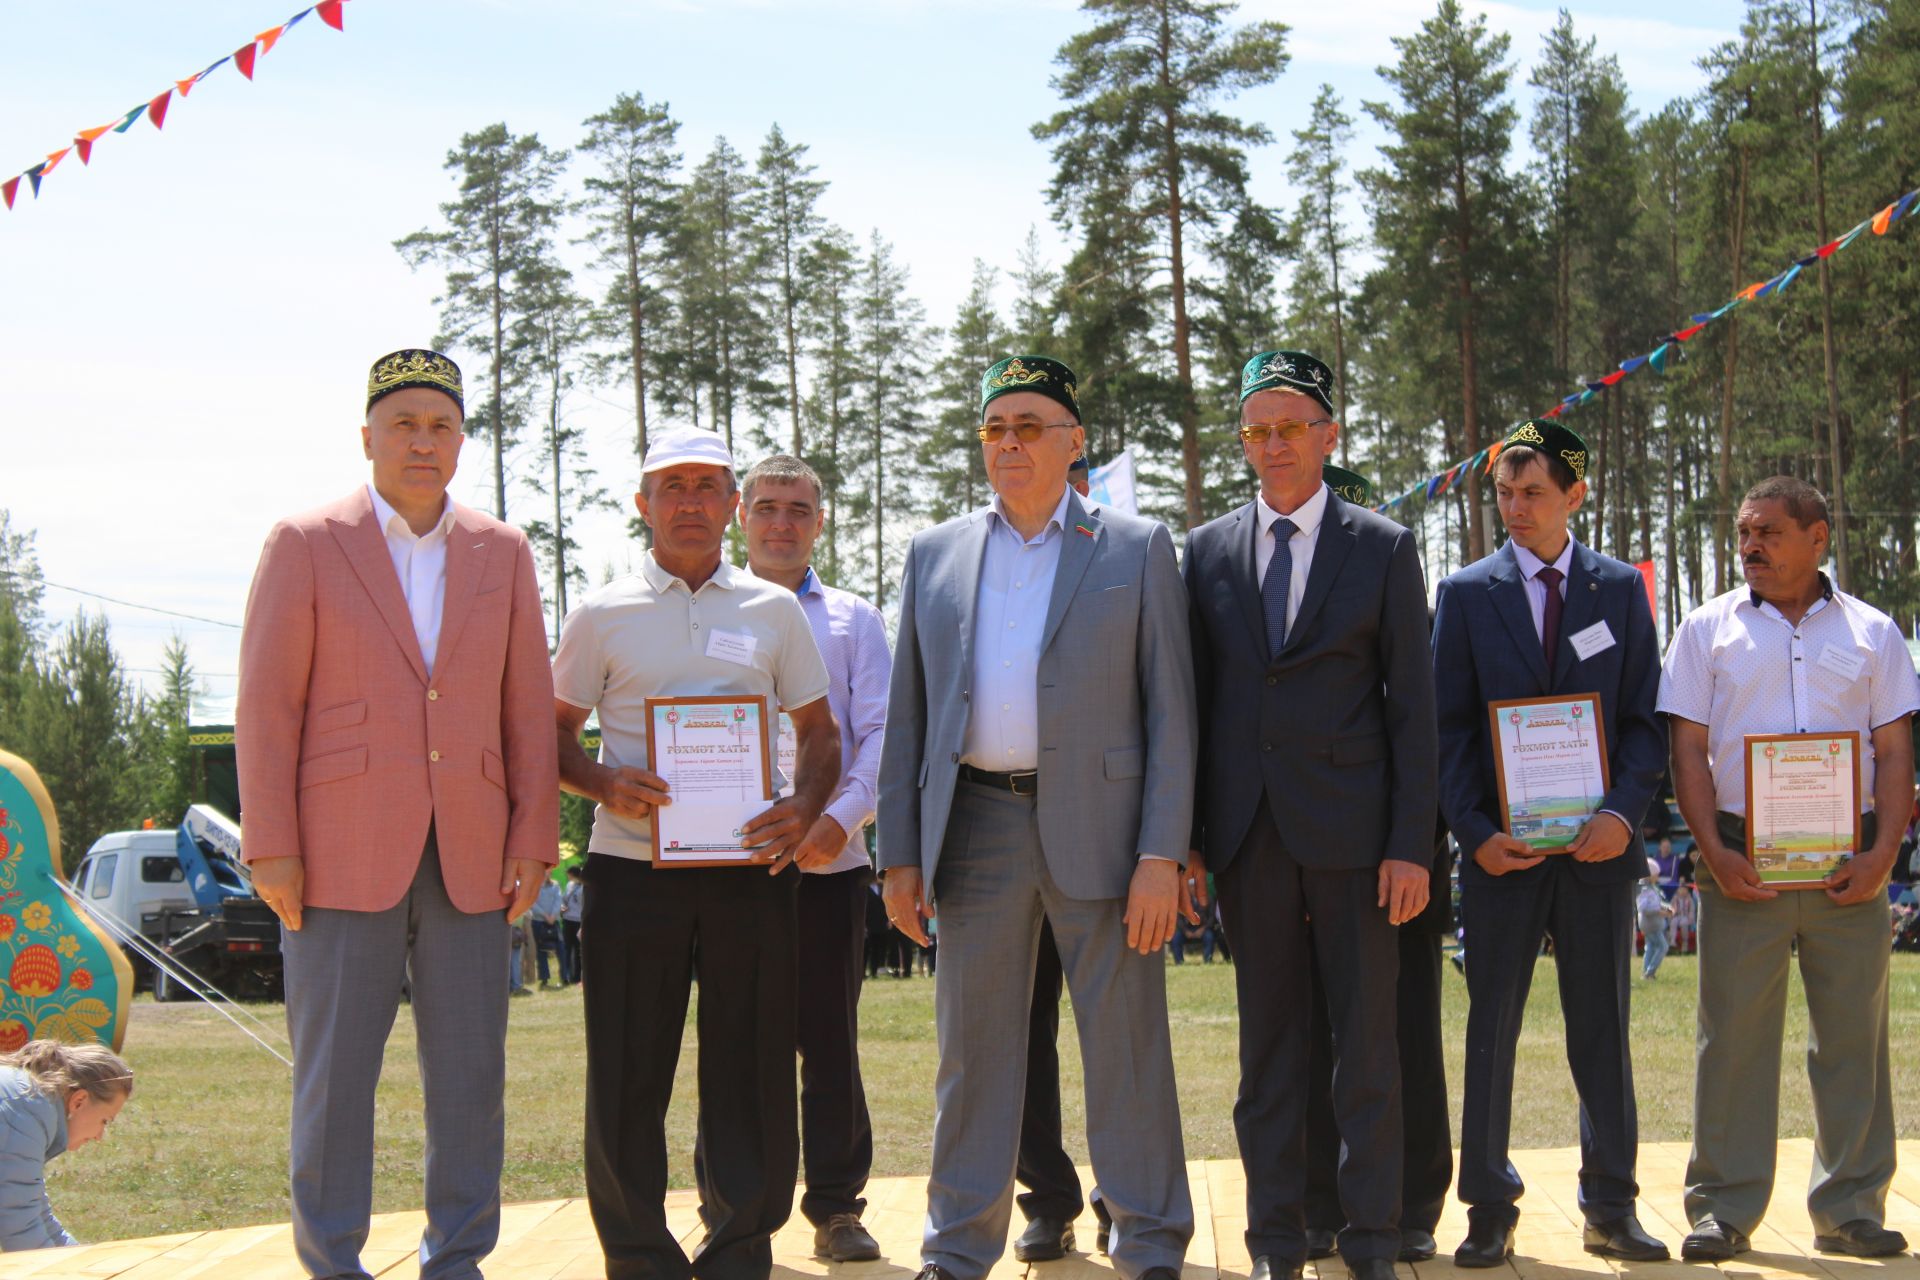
[[648, 934]]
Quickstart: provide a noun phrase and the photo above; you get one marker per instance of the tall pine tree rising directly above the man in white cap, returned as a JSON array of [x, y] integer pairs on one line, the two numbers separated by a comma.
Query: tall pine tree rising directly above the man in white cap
[[631, 204]]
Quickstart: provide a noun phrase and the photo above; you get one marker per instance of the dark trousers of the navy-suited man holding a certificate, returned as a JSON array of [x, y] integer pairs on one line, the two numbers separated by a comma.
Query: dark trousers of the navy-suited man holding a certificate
[[1593, 930]]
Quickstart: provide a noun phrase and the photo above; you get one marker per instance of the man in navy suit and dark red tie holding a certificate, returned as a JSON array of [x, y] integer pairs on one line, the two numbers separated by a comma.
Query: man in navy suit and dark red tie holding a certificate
[[1537, 619]]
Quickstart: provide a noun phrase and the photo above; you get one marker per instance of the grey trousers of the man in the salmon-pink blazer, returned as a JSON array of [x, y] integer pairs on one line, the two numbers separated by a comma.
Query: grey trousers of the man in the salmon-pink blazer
[[345, 972]]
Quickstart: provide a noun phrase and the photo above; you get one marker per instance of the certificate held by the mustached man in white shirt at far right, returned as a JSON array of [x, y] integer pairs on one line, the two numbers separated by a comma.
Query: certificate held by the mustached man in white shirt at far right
[[1804, 805]]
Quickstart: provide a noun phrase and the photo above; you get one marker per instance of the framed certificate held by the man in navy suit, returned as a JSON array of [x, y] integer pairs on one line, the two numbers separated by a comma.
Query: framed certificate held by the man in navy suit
[[1550, 757]]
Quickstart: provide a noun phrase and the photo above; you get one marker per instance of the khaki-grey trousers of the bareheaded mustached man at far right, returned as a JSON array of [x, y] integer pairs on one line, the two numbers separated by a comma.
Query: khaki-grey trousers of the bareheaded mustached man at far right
[[1744, 957]]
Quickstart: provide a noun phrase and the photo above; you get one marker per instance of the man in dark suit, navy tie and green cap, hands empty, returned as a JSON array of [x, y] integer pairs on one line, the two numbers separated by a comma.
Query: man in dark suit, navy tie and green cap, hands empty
[[1316, 797]]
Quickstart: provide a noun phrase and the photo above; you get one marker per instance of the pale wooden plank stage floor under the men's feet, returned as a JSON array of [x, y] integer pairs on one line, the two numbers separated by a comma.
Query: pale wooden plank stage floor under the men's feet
[[554, 1241]]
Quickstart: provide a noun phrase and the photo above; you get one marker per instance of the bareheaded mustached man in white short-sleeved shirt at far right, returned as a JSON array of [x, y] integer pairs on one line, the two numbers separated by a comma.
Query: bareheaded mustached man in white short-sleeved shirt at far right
[[1790, 655]]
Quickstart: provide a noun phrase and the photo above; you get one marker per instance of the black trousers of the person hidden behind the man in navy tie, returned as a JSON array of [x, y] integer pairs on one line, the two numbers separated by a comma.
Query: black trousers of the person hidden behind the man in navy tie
[[1428, 1143]]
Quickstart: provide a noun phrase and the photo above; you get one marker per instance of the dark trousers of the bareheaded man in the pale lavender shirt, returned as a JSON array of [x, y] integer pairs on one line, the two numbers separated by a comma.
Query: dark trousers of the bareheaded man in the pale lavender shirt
[[836, 1133]]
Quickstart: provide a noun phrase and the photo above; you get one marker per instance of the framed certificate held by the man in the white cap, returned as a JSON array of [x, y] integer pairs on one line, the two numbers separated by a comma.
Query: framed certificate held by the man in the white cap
[[715, 755]]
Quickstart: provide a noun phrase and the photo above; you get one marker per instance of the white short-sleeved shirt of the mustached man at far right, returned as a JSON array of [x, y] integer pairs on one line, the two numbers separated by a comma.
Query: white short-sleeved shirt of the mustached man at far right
[[1739, 667]]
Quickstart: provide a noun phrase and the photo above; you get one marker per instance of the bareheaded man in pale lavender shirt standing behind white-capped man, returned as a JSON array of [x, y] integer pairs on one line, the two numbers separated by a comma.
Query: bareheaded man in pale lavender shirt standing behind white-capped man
[[782, 517]]
